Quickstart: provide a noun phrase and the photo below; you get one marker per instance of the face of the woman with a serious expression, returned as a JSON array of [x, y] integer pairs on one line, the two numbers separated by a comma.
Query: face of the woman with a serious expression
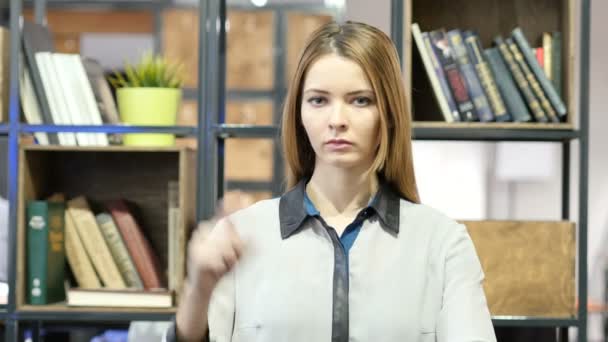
[[339, 113]]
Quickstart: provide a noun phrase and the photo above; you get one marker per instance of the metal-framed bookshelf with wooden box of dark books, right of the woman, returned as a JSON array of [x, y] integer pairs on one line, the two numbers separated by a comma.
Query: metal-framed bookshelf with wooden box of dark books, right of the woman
[[501, 17]]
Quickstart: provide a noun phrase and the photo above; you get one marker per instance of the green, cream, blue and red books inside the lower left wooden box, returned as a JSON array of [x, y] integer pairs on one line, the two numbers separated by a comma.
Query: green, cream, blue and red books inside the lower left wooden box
[[110, 258]]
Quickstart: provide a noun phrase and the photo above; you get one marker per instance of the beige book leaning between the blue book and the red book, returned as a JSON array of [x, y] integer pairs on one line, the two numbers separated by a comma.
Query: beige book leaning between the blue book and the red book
[[119, 250]]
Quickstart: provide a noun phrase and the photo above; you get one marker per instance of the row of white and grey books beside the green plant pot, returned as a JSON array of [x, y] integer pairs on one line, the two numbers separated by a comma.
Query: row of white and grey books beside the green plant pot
[[63, 89]]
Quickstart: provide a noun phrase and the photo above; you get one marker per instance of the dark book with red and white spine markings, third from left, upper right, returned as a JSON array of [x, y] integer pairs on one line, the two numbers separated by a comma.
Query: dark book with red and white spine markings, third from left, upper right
[[453, 76]]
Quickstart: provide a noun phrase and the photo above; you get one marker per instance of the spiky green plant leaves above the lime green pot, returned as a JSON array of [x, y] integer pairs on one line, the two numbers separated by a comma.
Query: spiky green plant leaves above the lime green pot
[[151, 71]]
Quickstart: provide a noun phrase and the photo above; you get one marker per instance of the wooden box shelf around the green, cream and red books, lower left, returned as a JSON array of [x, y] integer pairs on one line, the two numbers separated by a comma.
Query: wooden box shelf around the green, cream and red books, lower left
[[137, 174]]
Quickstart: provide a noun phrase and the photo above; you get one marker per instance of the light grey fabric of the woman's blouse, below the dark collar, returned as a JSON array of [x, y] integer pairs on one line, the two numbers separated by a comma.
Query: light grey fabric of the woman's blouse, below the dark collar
[[412, 274]]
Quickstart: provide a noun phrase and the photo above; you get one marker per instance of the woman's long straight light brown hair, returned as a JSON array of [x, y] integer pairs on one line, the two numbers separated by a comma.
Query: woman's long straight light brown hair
[[376, 55]]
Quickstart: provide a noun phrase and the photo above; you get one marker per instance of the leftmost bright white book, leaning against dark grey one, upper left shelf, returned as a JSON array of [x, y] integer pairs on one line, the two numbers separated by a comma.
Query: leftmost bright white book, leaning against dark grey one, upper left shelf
[[45, 66]]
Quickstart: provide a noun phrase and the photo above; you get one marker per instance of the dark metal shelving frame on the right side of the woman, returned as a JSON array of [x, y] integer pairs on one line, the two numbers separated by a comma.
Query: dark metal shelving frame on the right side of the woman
[[566, 138]]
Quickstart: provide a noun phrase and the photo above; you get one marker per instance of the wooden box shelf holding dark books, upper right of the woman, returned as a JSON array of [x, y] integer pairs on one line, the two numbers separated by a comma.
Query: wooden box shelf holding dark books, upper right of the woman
[[499, 18]]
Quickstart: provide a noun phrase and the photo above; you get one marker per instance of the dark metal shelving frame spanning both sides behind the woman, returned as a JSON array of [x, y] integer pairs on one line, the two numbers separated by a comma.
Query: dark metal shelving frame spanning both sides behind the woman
[[211, 133]]
